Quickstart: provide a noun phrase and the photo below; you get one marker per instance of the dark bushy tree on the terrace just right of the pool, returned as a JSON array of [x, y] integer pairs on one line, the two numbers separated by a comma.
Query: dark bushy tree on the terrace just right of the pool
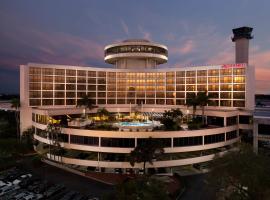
[[171, 119]]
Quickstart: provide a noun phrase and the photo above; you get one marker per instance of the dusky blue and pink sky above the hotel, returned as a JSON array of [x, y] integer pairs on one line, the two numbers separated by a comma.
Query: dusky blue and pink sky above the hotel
[[75, 32]]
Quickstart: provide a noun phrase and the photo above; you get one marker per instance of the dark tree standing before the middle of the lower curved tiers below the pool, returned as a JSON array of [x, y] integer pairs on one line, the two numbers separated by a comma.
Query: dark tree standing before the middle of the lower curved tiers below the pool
[[146, 151]]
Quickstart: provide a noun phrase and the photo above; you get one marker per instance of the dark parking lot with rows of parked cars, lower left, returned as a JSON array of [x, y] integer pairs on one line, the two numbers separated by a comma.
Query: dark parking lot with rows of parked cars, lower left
[[48, 182]]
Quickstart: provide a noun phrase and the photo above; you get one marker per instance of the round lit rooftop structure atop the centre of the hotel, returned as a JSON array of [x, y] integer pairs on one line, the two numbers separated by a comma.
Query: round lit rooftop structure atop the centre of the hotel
[[136, 53]]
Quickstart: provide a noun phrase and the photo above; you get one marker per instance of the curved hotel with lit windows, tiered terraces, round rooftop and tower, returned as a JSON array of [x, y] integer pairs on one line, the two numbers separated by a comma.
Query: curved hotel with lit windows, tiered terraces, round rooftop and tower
[[136, 83]]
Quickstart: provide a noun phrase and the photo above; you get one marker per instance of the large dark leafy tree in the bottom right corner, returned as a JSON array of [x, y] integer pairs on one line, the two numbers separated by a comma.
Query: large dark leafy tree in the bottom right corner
[[241, 175]]
